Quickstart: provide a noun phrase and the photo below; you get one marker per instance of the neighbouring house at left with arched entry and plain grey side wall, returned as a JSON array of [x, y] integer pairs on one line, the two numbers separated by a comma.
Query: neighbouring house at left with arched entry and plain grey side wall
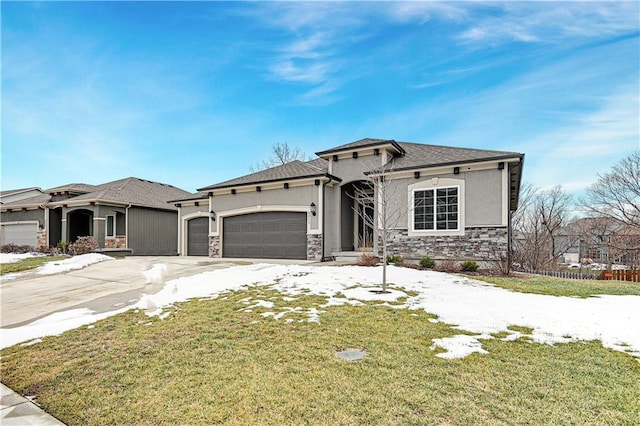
[[130, 214]]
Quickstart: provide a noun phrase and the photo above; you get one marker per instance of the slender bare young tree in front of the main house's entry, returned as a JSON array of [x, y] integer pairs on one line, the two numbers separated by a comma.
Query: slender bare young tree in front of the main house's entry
[[381, 191]]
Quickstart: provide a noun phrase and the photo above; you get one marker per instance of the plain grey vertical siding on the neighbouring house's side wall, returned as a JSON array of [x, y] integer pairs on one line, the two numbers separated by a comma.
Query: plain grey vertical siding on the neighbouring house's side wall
[[153, 232]]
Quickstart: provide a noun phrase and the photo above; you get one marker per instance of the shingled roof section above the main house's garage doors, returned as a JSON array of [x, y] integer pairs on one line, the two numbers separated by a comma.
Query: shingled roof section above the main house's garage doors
[[293, 170]]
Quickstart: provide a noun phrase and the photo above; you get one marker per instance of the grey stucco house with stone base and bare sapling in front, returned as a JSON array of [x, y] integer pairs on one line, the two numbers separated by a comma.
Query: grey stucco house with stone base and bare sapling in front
[[457, 204]]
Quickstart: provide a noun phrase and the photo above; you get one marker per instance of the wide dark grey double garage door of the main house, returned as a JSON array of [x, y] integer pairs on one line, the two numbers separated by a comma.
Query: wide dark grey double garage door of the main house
[[269, 235]]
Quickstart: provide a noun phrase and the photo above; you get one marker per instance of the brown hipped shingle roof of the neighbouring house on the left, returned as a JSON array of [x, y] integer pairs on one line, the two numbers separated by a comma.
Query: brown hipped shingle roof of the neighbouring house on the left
[[135, 191]]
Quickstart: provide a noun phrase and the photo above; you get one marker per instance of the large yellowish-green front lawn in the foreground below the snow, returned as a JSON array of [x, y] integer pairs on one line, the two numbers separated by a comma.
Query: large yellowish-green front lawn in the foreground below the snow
[[212, 362]]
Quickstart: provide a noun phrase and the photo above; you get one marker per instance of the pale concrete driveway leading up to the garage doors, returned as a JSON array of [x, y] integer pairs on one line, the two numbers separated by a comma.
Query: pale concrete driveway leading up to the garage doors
[[101, 287]]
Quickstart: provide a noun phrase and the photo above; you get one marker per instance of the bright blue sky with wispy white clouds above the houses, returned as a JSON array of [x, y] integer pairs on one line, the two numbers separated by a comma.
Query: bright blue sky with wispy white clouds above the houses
[[196, 93]]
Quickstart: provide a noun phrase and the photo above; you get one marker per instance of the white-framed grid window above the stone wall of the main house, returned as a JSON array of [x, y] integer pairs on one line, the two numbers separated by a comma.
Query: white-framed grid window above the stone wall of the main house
[[436, 209]]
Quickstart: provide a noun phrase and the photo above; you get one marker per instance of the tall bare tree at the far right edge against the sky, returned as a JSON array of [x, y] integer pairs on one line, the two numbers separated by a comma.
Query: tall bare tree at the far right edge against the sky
[[616, 195]]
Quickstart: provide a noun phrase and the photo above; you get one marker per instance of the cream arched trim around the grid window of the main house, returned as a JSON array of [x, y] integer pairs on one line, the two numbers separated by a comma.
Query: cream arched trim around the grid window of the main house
[[435, 184]]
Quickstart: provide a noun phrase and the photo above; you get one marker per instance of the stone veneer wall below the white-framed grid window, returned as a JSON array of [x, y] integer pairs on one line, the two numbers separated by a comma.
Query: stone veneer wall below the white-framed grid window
[[480, 244]]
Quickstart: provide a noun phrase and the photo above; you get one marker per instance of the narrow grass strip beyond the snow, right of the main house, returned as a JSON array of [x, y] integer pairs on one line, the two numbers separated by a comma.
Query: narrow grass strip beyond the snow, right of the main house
[[539, 284]]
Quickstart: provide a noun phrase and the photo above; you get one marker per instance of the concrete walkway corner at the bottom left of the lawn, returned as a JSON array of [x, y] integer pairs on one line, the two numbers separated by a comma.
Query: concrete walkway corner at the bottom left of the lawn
[[19, 411]]
